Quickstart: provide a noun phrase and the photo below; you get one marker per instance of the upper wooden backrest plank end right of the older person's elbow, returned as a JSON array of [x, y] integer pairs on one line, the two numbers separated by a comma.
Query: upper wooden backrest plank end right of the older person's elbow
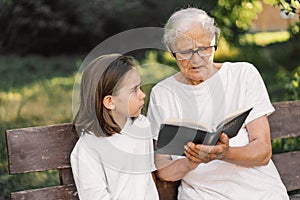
[[285, 121]]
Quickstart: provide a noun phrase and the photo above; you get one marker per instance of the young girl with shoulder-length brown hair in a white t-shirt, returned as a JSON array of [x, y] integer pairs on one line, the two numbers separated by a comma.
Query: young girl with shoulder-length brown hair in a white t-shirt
[[113, 157]]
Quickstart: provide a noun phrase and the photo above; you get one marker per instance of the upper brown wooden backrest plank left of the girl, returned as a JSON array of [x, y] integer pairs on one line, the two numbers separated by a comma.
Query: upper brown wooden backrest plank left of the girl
[[40, 148]]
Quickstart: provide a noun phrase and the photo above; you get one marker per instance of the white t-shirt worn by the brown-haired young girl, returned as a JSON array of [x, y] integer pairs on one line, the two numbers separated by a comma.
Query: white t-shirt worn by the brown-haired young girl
[[117, 167]]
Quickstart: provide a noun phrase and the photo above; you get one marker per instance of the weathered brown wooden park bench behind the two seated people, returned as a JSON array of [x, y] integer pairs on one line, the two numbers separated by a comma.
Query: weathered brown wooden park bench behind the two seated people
[[48, 147]]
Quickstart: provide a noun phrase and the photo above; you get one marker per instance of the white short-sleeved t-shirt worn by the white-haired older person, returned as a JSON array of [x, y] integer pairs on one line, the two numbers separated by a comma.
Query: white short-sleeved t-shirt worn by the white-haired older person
[[234, 86]]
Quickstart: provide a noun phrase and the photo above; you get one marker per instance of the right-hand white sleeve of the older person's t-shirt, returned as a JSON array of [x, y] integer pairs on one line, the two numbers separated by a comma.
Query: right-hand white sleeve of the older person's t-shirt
[[257, 95]]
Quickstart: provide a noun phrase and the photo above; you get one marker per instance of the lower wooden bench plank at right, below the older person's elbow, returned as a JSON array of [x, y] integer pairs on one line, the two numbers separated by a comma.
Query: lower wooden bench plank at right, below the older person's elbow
[[287, 165]]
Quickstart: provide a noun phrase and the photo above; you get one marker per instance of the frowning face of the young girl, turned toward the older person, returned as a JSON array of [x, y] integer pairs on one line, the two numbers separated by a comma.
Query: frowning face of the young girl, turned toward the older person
[[129, 98]]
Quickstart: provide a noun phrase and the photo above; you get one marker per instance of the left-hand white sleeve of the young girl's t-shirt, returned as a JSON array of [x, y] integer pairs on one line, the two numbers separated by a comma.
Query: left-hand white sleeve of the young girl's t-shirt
[[88, 173]]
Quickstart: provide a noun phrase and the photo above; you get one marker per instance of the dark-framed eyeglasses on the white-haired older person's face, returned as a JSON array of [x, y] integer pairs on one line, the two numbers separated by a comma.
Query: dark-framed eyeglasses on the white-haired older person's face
[[188, 54]]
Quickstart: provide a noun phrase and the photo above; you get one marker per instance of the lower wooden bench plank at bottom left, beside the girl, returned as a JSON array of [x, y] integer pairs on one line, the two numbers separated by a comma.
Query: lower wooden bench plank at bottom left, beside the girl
[[51, 193]]
